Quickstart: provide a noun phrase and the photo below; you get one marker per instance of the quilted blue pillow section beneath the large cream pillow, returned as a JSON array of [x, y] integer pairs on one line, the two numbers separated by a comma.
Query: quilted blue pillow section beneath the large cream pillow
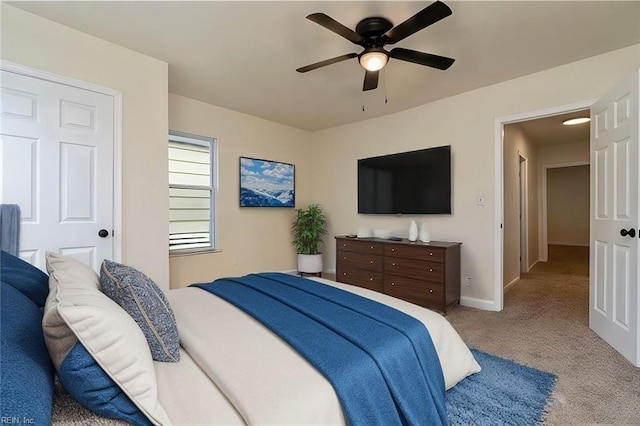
[[82, 377]]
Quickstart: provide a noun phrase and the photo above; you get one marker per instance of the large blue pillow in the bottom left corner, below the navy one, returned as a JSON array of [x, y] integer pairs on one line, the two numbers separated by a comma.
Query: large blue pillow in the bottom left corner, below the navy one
[[27, 373]]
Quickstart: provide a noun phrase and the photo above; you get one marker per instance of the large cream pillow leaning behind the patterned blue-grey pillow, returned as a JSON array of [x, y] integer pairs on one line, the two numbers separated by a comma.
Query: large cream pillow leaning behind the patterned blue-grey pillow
[[77, 311]]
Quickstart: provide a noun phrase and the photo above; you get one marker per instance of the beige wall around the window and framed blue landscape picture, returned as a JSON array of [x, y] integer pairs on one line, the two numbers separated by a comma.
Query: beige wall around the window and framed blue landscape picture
[[250, 239]]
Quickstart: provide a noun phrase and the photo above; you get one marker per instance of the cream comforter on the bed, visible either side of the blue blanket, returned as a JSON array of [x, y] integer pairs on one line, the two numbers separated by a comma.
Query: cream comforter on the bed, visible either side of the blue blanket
[[234, 370]]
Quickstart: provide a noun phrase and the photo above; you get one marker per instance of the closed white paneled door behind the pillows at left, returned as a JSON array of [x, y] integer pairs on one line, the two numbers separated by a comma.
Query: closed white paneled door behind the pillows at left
[[56, 153]]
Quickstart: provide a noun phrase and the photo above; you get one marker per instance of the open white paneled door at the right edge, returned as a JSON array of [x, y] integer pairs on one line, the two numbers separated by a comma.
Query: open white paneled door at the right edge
[[614, 269]]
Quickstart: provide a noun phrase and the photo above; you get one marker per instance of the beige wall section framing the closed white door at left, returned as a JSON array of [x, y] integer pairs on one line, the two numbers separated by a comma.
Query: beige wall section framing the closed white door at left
[[47, 46]]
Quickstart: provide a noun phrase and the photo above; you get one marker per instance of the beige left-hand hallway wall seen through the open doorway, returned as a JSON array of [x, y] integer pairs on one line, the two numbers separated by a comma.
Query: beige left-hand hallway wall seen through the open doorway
[[517, 144]]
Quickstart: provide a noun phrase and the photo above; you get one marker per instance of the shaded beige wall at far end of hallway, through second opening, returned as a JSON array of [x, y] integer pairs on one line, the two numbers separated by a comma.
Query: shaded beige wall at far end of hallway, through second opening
[[568, 205]]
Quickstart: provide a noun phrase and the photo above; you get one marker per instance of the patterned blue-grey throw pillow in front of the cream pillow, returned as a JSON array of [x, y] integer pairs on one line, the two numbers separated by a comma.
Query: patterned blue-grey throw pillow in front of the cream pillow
[[148, 306]]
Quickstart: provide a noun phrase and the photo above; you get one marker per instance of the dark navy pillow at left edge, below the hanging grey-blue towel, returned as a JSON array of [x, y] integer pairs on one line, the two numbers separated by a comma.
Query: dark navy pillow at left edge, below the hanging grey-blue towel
[[24, 277]]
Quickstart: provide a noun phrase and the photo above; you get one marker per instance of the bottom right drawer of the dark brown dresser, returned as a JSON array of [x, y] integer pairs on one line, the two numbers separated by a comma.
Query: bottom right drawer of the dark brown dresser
[[422, 293]]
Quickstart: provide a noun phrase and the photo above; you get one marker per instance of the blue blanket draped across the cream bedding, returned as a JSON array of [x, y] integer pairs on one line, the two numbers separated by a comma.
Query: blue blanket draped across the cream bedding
[[380, 361]]
